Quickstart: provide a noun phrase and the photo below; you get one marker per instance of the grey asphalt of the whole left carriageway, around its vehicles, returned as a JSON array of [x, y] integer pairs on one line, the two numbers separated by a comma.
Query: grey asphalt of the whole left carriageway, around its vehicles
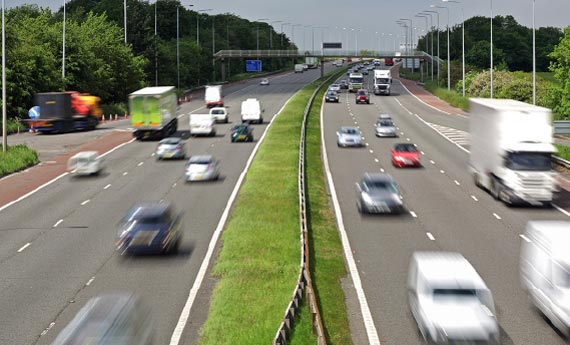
[[57, 246]]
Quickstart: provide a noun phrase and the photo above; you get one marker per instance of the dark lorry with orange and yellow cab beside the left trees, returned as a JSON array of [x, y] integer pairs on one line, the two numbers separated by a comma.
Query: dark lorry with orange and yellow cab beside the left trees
[[68, 111]]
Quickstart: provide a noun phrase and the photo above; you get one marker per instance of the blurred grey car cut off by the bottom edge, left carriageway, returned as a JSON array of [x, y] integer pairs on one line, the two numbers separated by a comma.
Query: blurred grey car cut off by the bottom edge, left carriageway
[[119, 319]]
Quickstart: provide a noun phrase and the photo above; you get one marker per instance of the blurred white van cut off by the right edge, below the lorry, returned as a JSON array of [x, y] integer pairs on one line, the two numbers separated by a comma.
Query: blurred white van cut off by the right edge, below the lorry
[[545, 270]]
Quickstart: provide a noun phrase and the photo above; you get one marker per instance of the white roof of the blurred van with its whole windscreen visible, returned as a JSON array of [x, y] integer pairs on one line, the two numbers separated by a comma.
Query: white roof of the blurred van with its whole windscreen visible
[[447, 269]]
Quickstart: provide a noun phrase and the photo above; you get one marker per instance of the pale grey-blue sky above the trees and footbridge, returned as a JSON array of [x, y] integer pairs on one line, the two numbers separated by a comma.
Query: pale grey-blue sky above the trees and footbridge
[[373, 21]]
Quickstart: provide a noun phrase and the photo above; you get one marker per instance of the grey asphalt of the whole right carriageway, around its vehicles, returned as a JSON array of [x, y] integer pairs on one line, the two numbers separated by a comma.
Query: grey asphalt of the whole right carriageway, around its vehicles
[[445, 212]]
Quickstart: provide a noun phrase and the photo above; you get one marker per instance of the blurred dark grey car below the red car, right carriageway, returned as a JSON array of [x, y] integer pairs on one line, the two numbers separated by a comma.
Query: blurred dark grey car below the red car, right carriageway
[[378, 193]]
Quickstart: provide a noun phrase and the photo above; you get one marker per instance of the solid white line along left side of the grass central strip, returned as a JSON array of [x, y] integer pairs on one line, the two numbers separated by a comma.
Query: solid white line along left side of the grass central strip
[[183, 319]]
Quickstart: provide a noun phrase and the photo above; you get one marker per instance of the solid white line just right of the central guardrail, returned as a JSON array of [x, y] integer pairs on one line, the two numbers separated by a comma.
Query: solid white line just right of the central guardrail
[[364, 308]]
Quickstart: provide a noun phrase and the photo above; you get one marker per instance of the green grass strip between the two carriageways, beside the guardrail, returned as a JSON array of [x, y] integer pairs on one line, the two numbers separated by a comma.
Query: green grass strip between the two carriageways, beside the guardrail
[[259, 261]]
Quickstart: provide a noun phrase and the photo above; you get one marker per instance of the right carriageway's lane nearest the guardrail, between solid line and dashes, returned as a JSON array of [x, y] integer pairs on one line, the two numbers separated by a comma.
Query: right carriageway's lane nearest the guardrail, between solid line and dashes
[[382, 244]]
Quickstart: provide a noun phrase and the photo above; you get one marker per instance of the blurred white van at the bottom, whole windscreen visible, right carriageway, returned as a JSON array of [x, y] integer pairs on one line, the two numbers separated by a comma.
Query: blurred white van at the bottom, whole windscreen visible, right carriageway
[[449, 301]]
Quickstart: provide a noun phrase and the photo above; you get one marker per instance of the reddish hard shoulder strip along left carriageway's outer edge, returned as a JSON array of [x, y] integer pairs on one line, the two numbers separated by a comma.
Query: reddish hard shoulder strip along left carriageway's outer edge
[[17, 185]]
